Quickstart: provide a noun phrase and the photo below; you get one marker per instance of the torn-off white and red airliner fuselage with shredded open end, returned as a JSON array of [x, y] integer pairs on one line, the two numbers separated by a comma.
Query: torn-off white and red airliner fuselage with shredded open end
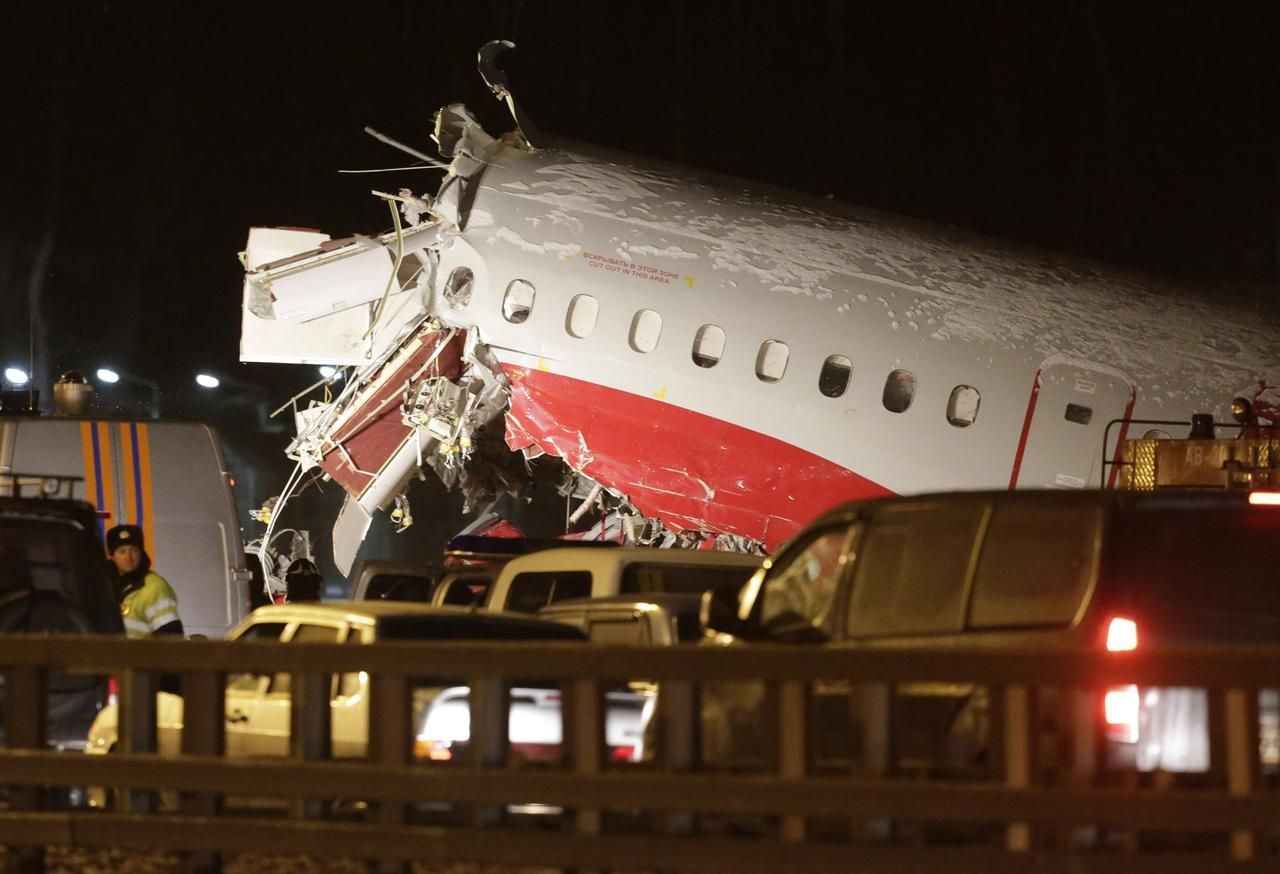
[[708, 358]]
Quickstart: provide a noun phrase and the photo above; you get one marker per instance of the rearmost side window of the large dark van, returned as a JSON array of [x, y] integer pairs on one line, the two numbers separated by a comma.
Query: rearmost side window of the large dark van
[[1036, 565]]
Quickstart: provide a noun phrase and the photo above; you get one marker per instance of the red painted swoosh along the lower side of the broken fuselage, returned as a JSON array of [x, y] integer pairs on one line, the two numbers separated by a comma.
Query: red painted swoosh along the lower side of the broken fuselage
[[688, 469]]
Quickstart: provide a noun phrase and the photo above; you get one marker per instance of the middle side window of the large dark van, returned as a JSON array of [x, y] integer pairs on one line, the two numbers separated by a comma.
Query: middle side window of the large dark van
[[912, 570]]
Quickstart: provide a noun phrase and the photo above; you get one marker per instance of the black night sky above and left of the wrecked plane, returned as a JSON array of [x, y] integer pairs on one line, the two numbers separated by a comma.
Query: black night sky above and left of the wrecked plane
[[143, 140]]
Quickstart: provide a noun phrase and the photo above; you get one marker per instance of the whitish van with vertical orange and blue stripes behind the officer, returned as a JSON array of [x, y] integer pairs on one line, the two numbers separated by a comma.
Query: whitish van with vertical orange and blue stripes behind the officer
[[170, 479]]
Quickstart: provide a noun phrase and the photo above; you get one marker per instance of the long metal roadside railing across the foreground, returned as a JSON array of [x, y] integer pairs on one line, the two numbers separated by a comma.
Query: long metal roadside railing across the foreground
[[1046, 812]]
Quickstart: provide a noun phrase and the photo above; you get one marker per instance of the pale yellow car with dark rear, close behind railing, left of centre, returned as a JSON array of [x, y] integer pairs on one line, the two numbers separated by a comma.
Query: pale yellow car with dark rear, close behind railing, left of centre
[[258, 704]]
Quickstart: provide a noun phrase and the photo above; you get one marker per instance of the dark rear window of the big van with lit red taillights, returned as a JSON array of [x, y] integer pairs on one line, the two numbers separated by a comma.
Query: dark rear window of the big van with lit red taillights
[[1199, 576]]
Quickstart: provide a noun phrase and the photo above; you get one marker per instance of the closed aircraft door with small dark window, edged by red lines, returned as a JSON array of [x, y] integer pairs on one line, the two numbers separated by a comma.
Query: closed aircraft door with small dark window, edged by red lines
[[1067, 418]]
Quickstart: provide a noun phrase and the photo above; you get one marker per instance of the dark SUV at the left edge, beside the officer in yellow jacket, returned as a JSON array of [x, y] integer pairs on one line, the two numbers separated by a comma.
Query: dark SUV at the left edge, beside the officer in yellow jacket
[[53, 580]]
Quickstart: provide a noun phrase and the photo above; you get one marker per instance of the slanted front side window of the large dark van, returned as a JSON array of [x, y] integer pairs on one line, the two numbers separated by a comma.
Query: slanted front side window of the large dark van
[[804, 588]]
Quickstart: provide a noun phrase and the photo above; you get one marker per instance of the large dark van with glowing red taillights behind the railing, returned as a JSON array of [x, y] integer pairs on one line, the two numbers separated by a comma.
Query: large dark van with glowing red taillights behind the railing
[[1090, 570]]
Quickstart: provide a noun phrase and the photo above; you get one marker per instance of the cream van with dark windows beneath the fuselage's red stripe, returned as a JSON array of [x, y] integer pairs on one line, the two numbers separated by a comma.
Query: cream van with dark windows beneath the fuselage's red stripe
[[531, 583]]
